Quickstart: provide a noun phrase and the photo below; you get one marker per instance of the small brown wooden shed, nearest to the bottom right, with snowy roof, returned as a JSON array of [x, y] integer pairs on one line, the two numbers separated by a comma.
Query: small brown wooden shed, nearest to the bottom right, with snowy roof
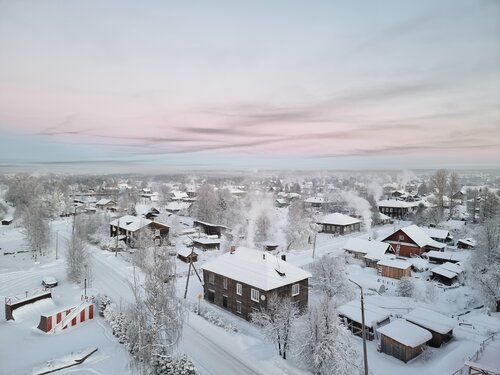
[[403, 340]]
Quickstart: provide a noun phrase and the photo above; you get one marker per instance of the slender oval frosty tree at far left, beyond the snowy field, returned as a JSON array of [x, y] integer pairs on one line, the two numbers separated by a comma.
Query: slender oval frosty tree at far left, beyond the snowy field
[[36, 228]]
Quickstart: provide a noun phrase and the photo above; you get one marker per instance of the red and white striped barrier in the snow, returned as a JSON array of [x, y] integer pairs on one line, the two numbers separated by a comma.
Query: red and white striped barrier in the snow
[[70, 317]]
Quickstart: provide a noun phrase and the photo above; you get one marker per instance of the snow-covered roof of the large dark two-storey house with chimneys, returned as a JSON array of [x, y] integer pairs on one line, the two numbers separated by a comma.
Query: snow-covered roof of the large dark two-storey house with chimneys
[[256, 268]]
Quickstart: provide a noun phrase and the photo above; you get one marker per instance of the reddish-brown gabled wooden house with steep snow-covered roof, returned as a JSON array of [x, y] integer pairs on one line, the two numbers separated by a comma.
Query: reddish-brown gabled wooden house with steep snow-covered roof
[[412, 240]]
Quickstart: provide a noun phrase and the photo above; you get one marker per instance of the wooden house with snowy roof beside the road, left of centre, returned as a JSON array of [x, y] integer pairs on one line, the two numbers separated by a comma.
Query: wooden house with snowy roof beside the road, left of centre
[[129, 229]]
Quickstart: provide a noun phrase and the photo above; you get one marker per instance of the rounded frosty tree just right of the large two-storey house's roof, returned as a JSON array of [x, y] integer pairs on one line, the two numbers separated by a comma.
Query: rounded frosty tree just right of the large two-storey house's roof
[[330, 278]]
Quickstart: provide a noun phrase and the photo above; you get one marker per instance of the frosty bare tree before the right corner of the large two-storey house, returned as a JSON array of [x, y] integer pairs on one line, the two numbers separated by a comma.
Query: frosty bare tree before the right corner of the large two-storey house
[[277, 322]]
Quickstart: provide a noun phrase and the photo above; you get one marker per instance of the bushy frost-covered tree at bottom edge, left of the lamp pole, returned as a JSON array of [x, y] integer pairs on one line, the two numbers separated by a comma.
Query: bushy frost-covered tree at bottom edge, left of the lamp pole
[[323, 345]]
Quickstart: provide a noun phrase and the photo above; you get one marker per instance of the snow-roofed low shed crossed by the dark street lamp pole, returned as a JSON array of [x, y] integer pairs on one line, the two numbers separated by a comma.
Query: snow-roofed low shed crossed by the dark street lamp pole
[[350, 314]]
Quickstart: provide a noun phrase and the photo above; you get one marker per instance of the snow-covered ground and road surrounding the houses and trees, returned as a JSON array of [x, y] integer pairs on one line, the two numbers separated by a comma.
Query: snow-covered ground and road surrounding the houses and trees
[[214, 350]]
